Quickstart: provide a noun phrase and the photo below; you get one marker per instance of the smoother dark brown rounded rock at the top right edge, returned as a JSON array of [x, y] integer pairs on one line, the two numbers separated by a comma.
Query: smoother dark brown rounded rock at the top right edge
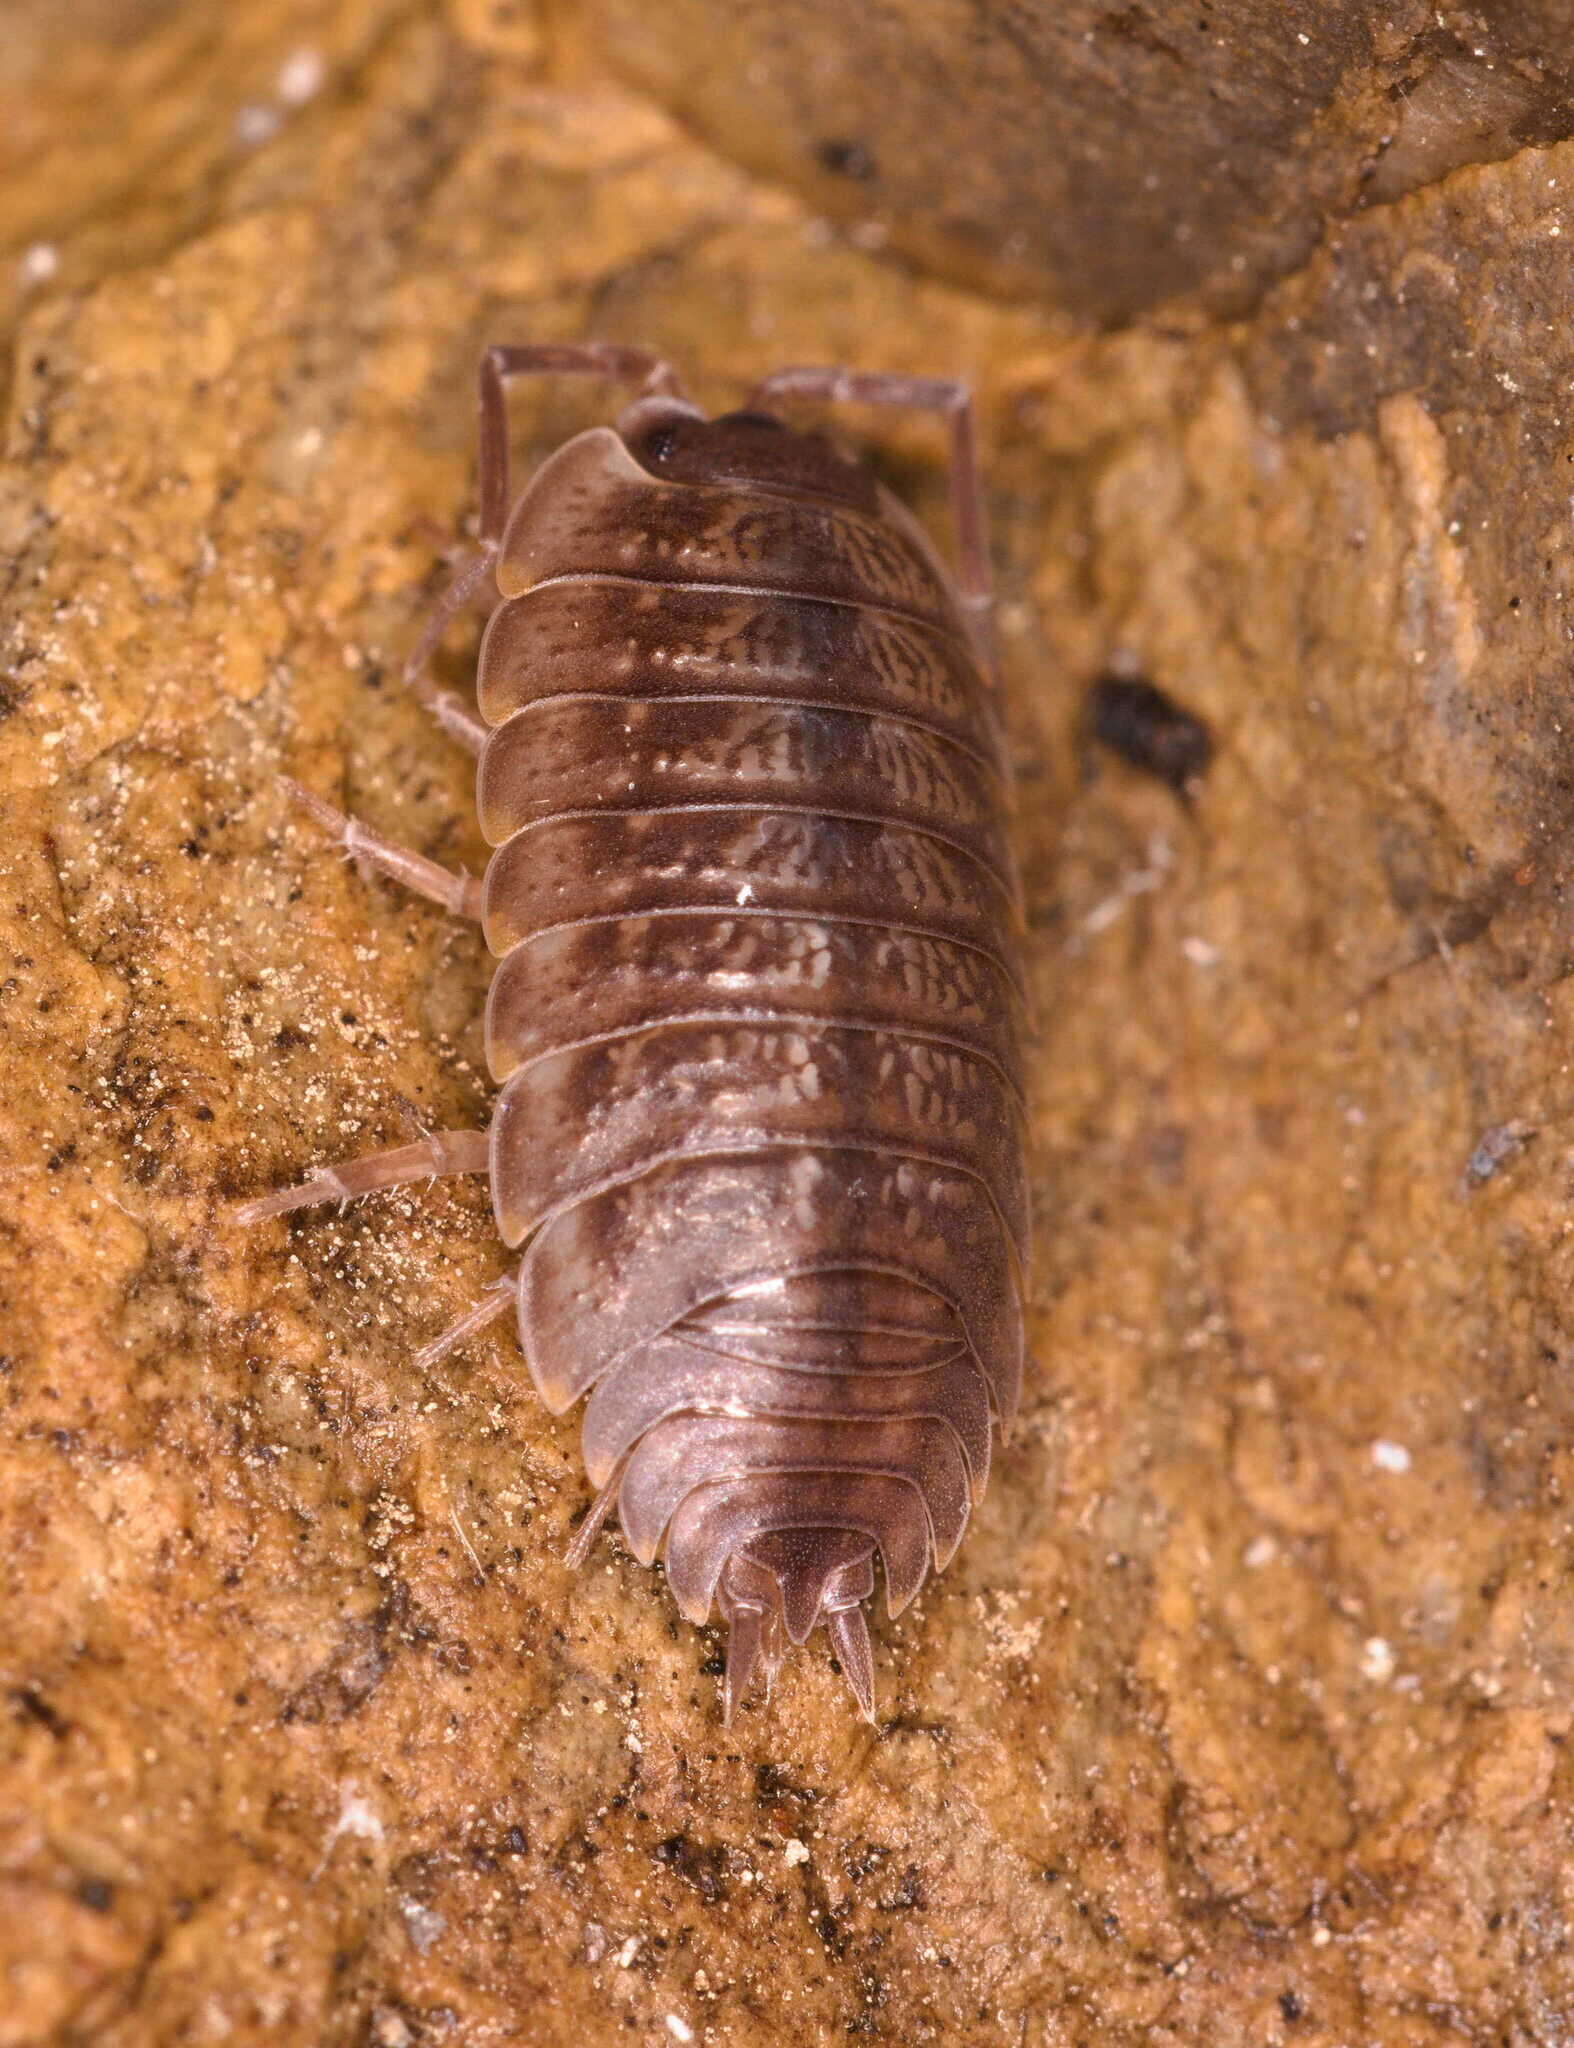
[[1106, 157]]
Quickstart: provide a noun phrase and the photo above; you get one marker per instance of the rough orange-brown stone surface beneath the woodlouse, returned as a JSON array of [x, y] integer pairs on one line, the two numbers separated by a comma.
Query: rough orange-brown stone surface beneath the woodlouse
[[1245, 1711]]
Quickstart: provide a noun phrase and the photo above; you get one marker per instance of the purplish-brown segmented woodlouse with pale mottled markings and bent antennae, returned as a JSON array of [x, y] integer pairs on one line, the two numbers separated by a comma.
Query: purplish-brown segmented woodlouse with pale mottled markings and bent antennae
[[758, 1009]]
